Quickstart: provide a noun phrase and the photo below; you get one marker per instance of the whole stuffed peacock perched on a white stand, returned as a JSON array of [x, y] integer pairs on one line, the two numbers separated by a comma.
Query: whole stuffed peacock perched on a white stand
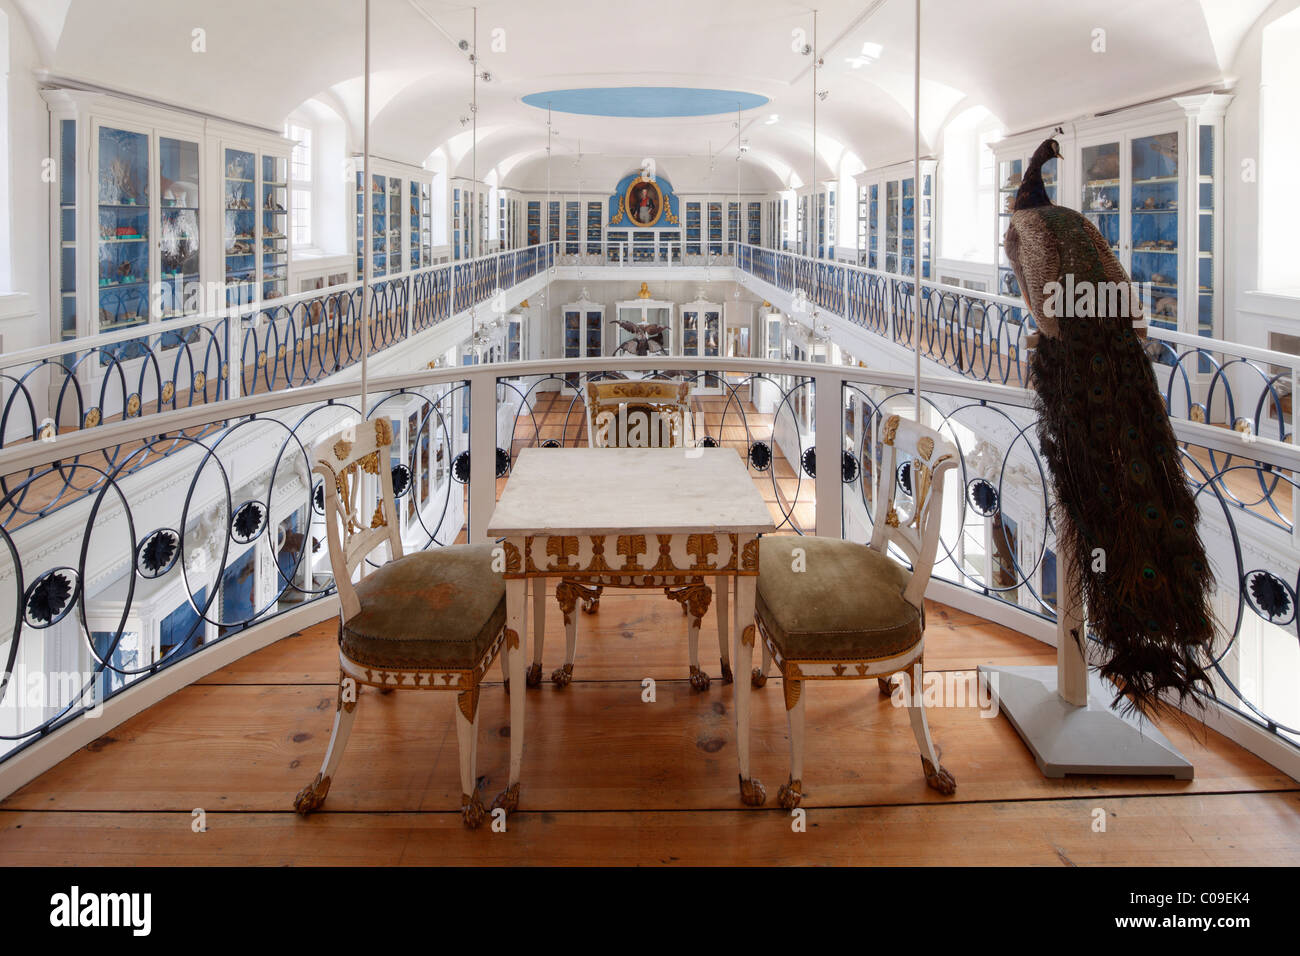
[[1125, 512]]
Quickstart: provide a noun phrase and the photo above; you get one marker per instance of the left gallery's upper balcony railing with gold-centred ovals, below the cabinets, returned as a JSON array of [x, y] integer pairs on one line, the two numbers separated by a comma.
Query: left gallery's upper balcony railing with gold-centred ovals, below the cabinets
[[241, 351]]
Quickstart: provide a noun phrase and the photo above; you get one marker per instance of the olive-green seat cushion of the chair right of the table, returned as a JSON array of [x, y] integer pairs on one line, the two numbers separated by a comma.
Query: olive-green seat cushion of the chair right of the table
[[847, 604]]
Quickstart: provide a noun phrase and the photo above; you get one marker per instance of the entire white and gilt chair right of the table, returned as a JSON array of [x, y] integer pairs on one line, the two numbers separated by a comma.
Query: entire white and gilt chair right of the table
[[848, 612]]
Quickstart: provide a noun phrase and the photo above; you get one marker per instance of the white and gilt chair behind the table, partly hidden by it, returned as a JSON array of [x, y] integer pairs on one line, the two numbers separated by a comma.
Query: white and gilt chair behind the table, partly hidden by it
[[638, 414]]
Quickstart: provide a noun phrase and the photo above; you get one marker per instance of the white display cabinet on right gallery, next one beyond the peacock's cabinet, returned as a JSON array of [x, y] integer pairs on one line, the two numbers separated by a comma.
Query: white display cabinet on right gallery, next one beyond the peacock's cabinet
[[904, 219]]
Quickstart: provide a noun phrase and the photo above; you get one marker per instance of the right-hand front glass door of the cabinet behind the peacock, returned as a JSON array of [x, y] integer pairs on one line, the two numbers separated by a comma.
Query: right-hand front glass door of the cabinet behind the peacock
[[1154, 224]]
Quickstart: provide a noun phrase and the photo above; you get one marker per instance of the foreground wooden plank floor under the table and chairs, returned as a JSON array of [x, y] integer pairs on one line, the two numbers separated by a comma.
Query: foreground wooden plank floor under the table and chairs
[[612, 780]]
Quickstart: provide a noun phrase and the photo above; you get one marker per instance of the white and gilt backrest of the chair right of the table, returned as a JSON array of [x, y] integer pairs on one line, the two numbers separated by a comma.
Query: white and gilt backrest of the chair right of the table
[[930, 457]]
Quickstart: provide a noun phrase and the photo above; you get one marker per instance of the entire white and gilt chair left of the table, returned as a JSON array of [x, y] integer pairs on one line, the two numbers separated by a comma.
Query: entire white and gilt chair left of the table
[[430, 621]]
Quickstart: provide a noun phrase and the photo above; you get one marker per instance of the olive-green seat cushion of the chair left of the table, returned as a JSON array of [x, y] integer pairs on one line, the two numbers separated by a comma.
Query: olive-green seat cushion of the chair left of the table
[[440, 608]]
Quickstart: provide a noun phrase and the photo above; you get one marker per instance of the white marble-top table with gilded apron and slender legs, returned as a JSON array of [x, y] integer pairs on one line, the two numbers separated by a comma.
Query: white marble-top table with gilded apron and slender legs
[[655, 516]]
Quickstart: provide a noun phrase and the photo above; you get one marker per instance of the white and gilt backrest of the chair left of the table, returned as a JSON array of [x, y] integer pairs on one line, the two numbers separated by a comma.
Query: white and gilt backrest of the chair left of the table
[[353, 529]]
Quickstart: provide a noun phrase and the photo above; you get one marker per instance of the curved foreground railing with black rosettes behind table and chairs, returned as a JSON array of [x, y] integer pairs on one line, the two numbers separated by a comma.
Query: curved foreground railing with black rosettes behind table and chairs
[[145, 573]]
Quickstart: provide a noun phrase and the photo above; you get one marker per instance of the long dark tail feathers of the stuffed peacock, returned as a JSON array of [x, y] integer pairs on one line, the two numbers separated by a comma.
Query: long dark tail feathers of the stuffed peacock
[[1124, 505]]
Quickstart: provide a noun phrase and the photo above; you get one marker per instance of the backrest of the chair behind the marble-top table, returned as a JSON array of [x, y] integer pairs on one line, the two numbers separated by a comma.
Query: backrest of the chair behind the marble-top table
[[649, 413]]
